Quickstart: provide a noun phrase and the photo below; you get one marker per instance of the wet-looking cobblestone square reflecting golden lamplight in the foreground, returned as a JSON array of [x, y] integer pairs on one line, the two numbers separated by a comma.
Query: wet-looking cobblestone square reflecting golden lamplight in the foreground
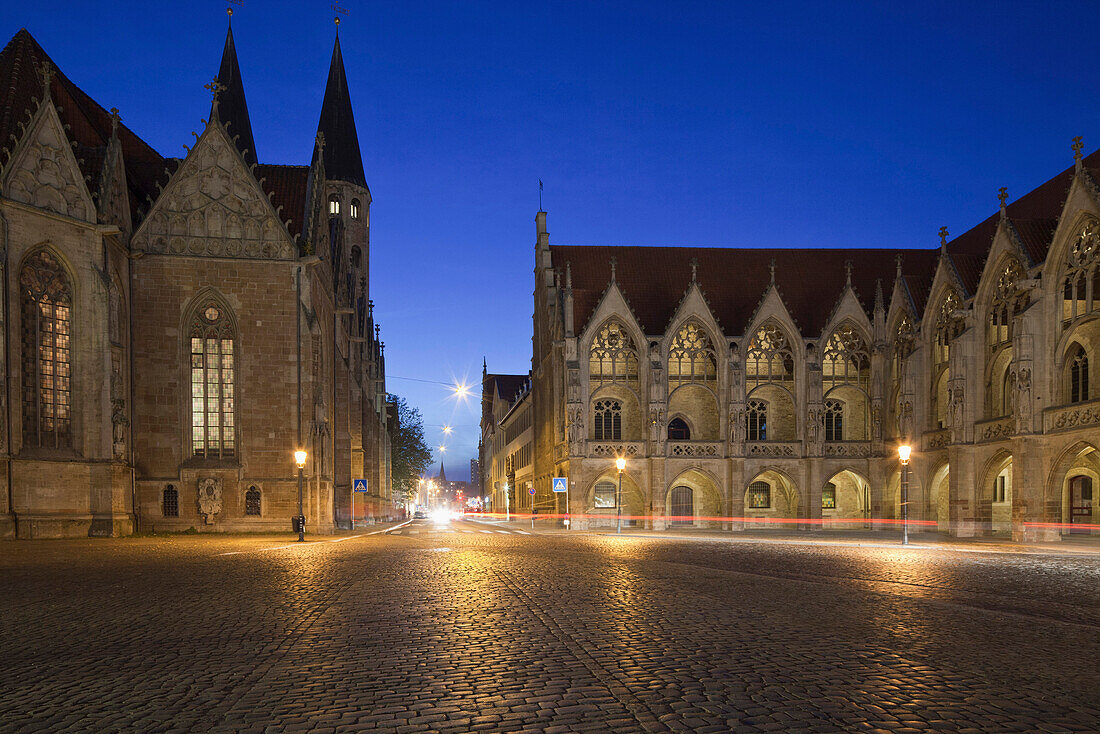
[[455, 630]]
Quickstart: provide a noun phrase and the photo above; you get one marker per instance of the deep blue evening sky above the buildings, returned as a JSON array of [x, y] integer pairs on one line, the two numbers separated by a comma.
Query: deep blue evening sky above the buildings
[[652, 124]]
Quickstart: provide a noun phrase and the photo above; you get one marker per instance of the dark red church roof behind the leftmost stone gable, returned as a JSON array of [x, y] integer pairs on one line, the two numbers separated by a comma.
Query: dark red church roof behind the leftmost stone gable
[[90, 124]]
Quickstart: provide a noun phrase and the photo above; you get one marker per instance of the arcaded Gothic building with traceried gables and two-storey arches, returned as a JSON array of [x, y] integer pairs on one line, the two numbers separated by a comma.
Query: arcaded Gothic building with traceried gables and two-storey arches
[[773, 388]]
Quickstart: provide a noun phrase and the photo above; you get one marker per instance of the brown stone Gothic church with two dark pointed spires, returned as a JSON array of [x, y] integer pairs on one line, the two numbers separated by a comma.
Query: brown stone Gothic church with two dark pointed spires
[[175, 328]]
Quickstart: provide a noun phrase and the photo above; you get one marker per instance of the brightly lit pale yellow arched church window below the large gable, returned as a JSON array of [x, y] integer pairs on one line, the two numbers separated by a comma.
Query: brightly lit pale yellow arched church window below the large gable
[[214, 384]]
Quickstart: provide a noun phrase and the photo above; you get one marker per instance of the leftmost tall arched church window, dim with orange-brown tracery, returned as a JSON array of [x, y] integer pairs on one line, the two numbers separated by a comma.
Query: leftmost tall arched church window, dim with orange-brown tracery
[[47, 300]]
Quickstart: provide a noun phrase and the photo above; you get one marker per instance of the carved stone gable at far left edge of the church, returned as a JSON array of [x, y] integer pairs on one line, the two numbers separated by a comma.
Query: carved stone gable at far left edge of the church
[[45, 173]]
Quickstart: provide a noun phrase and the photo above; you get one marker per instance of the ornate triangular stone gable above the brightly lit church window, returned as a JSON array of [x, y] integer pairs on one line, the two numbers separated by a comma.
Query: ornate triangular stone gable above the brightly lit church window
[[214, 206]]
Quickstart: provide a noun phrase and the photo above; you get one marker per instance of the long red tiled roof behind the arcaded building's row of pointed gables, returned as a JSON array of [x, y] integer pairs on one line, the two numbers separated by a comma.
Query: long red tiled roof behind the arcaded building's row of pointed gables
[[733, 280]]
